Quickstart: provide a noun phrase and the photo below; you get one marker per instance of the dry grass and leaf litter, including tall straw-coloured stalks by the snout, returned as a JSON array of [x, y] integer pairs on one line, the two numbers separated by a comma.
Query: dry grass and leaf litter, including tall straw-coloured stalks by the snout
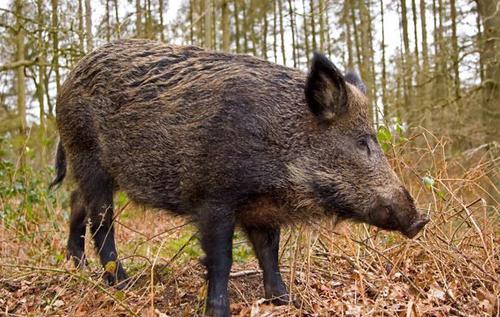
[[451, 269]]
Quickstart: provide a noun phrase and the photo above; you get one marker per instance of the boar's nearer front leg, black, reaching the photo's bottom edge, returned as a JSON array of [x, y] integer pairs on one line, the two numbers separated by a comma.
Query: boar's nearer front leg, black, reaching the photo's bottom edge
[[217, 229]]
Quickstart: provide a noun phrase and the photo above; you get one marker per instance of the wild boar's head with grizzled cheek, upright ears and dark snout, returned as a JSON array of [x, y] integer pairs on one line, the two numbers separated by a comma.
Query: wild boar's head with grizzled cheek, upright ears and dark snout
[[345, 171]]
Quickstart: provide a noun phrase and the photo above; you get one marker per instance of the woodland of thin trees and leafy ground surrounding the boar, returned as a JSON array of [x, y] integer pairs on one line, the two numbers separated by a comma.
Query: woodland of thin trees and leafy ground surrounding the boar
[[432, 71]]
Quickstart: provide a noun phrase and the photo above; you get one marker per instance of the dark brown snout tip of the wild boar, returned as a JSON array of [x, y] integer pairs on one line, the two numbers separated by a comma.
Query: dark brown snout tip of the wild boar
[[399, 213]]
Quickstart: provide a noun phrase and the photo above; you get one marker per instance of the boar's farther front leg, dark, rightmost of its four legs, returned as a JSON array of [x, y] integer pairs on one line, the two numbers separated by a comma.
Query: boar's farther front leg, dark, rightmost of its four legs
[[265, 242]]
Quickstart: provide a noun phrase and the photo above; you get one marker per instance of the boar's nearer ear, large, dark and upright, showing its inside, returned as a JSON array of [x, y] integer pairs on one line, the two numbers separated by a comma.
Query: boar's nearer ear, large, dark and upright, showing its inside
[[325, 89]]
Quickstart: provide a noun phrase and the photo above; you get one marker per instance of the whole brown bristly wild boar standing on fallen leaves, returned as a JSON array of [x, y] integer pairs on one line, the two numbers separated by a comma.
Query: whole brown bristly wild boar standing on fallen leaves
[[226, 140]]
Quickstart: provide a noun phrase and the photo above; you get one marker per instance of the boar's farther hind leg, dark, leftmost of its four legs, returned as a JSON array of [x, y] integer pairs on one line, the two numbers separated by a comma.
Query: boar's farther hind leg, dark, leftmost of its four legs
[[77, 226]]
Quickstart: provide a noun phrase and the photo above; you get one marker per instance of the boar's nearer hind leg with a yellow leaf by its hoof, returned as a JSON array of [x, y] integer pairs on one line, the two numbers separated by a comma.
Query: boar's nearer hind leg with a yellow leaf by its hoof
[[100, 207]]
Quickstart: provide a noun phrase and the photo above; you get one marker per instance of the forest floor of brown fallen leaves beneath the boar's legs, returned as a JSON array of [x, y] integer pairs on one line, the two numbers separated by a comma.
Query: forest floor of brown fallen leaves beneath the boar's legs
[[168, 279]]
